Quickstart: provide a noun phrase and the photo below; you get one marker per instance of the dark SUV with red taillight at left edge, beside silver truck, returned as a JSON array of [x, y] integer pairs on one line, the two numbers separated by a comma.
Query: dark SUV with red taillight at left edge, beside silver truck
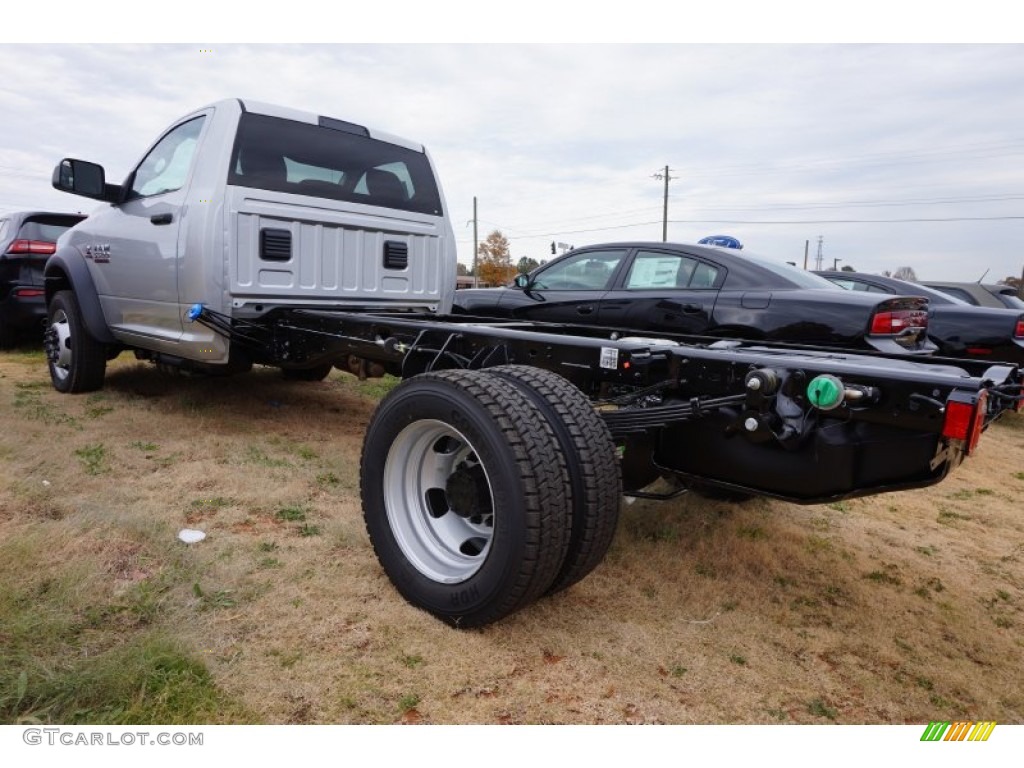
[[27, 240]]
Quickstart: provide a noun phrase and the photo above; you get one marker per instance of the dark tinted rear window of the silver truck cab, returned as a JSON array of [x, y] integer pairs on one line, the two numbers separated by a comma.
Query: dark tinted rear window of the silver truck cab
[[333, 160]]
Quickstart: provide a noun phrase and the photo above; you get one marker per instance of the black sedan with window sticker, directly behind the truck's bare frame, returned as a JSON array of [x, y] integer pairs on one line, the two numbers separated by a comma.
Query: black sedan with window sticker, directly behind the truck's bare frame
[[670, 288]]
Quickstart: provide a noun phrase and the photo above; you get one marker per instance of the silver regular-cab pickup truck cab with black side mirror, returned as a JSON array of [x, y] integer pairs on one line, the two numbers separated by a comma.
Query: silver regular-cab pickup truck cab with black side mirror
[[247, 208]]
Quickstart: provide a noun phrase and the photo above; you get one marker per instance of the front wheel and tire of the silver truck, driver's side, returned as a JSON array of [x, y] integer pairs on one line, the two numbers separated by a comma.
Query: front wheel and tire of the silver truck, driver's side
[[77, 361]]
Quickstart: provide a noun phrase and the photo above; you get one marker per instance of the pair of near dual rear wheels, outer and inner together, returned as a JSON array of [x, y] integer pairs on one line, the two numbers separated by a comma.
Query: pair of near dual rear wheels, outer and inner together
[[485, 490]]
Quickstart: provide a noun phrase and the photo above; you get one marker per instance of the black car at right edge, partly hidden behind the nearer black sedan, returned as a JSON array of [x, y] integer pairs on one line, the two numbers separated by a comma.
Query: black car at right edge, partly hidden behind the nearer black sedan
[[958, 329]]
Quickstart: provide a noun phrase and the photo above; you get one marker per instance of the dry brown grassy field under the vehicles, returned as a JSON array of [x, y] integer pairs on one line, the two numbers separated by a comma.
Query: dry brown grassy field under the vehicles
[[900, 609]]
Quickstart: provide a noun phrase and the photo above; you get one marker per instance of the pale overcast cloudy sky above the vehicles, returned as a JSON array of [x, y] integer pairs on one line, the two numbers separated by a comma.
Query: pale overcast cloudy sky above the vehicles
[[894, 155]]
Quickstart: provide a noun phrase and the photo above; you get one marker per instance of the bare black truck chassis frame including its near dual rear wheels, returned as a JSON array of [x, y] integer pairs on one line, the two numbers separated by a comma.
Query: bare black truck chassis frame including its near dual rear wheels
[[492, 475]]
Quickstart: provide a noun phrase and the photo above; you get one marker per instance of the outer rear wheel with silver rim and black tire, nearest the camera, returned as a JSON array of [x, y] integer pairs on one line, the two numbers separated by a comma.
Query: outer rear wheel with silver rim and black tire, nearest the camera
[[465, 496]]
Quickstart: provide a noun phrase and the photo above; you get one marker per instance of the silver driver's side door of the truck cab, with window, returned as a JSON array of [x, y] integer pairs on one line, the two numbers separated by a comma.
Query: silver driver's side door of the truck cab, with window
[[135, 248]]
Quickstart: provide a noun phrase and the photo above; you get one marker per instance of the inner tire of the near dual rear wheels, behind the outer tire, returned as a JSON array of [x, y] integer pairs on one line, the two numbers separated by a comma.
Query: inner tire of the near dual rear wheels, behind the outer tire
[[593, 466]]
